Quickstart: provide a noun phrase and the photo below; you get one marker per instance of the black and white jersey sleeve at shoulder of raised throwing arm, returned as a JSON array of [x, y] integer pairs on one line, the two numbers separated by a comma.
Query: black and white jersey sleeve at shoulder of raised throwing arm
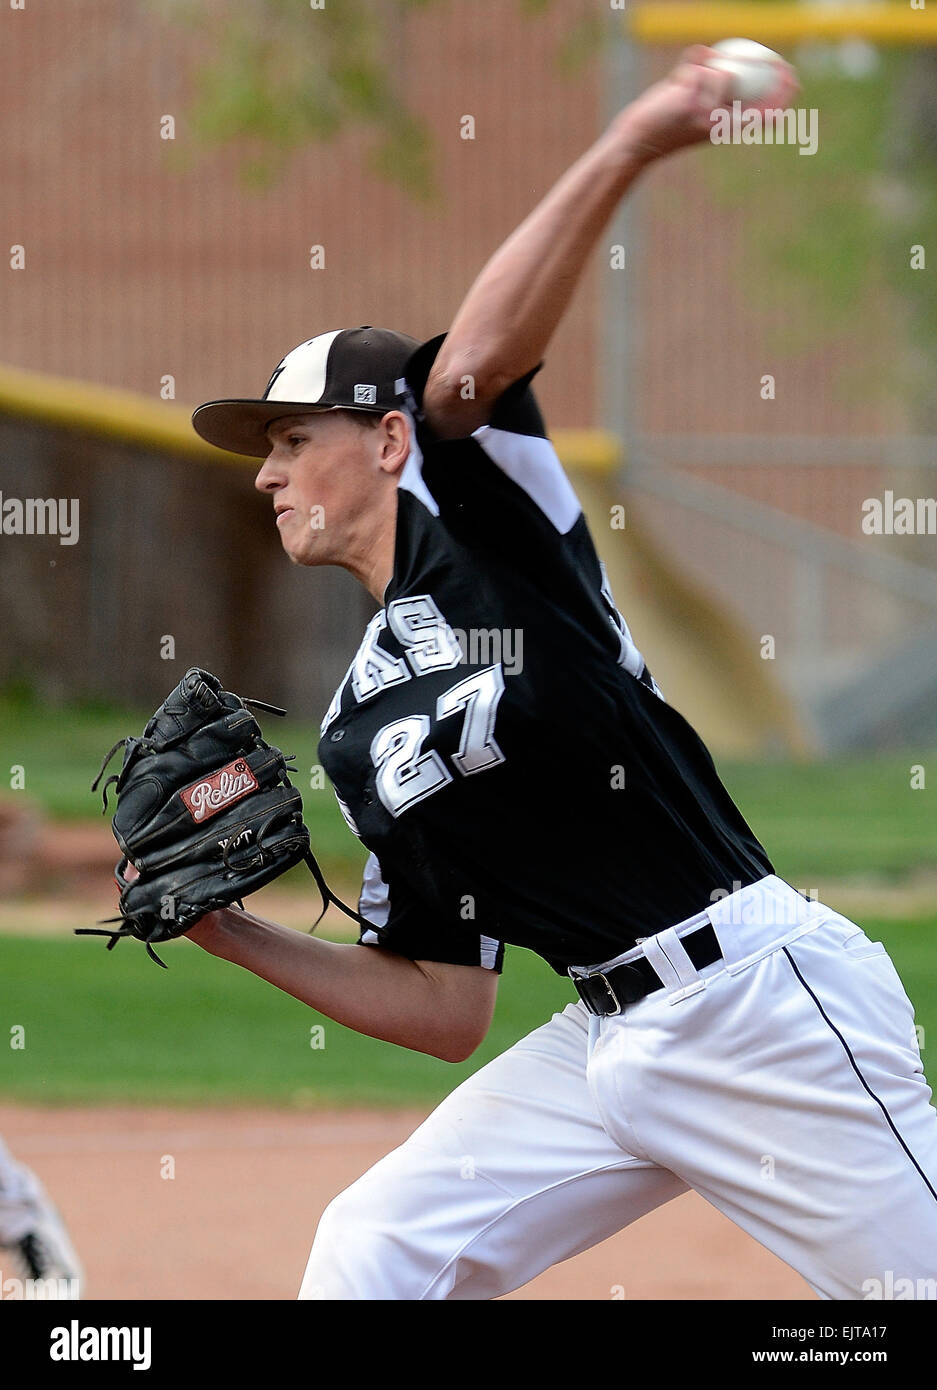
[[501, 484]]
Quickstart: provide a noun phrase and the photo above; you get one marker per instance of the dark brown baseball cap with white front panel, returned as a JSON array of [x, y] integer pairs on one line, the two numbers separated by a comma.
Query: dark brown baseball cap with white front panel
[[350, 369]]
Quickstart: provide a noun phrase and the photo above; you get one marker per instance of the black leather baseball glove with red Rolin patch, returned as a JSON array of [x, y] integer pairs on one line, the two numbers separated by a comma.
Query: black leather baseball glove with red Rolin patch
[[206, 814]]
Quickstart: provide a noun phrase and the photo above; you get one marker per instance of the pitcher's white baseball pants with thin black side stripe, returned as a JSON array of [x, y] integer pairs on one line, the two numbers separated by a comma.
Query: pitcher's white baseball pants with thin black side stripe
[[783, 1084]]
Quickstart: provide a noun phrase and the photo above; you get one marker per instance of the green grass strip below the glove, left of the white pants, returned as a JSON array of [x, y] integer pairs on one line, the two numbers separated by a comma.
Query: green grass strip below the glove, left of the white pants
[[112, 1027]]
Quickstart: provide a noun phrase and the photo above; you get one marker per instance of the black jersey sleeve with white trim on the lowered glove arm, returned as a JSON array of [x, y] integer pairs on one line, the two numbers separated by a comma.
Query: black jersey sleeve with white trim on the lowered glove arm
[[398, 922]]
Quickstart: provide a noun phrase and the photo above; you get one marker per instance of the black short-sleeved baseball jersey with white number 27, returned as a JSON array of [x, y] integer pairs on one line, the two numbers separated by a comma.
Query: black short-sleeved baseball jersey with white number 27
[[498, 742]]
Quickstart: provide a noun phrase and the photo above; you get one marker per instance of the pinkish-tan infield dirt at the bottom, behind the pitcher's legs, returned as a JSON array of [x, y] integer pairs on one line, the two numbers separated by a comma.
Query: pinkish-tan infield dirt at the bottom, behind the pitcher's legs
[[238, 1217]]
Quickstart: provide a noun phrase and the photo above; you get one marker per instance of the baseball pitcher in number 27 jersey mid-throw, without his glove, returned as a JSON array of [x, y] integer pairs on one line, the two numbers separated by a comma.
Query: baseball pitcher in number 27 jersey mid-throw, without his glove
[[565, 807]]
